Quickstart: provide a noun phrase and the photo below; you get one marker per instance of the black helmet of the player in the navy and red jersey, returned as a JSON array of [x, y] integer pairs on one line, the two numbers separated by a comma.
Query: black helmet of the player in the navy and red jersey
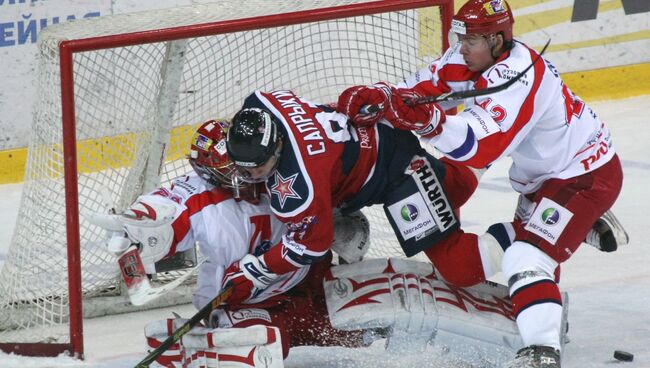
[[253, 138]]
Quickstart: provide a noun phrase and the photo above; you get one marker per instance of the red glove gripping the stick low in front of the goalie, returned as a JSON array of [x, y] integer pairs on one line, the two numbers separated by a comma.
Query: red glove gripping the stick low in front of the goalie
[[249, 277]]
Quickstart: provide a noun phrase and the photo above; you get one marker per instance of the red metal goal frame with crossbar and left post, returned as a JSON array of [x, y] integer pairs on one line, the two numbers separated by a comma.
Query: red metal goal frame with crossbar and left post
[[67, 49]]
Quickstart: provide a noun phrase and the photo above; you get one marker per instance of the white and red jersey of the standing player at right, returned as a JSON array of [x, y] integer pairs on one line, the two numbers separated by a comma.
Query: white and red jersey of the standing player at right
[[546, 130]]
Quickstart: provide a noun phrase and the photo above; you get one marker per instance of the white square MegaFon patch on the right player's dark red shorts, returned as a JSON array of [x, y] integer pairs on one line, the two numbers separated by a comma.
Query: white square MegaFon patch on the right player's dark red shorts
[[548, 220]]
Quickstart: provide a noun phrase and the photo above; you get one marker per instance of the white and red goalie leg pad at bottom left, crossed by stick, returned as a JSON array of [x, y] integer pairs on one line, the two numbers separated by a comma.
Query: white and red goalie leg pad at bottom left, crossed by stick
[[202, 347]]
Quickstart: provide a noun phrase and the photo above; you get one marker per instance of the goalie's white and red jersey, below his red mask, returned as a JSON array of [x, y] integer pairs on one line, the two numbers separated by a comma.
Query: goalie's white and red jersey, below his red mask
[[225, 230]]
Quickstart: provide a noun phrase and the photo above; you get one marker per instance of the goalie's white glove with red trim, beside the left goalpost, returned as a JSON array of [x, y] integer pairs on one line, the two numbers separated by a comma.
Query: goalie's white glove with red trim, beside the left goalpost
[[146, 223]]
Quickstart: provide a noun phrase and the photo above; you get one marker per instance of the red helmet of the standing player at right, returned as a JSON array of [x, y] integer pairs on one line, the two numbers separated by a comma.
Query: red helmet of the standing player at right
[[484, 17]]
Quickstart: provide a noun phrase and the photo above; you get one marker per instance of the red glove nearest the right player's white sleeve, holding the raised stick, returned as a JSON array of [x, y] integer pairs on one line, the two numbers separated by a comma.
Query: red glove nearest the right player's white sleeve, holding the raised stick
[[425, 120]]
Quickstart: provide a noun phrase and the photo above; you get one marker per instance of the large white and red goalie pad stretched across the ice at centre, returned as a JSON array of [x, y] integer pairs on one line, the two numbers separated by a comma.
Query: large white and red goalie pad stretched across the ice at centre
[[473, 324]]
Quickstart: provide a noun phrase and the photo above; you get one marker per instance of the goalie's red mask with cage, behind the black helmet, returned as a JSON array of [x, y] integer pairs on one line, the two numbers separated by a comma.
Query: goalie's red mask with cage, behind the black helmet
[[209, 159]]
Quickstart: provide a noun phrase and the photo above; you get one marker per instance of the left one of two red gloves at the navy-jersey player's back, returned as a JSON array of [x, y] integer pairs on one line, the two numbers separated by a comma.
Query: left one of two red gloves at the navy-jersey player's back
[[354, 103]]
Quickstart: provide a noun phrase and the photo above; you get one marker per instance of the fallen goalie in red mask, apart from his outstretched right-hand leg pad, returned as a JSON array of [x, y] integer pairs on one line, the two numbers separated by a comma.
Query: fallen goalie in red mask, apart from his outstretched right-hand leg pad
[[229, 228]]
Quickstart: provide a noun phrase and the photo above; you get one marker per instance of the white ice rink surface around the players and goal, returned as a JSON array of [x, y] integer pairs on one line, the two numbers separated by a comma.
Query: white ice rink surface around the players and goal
[[609, 292]]
